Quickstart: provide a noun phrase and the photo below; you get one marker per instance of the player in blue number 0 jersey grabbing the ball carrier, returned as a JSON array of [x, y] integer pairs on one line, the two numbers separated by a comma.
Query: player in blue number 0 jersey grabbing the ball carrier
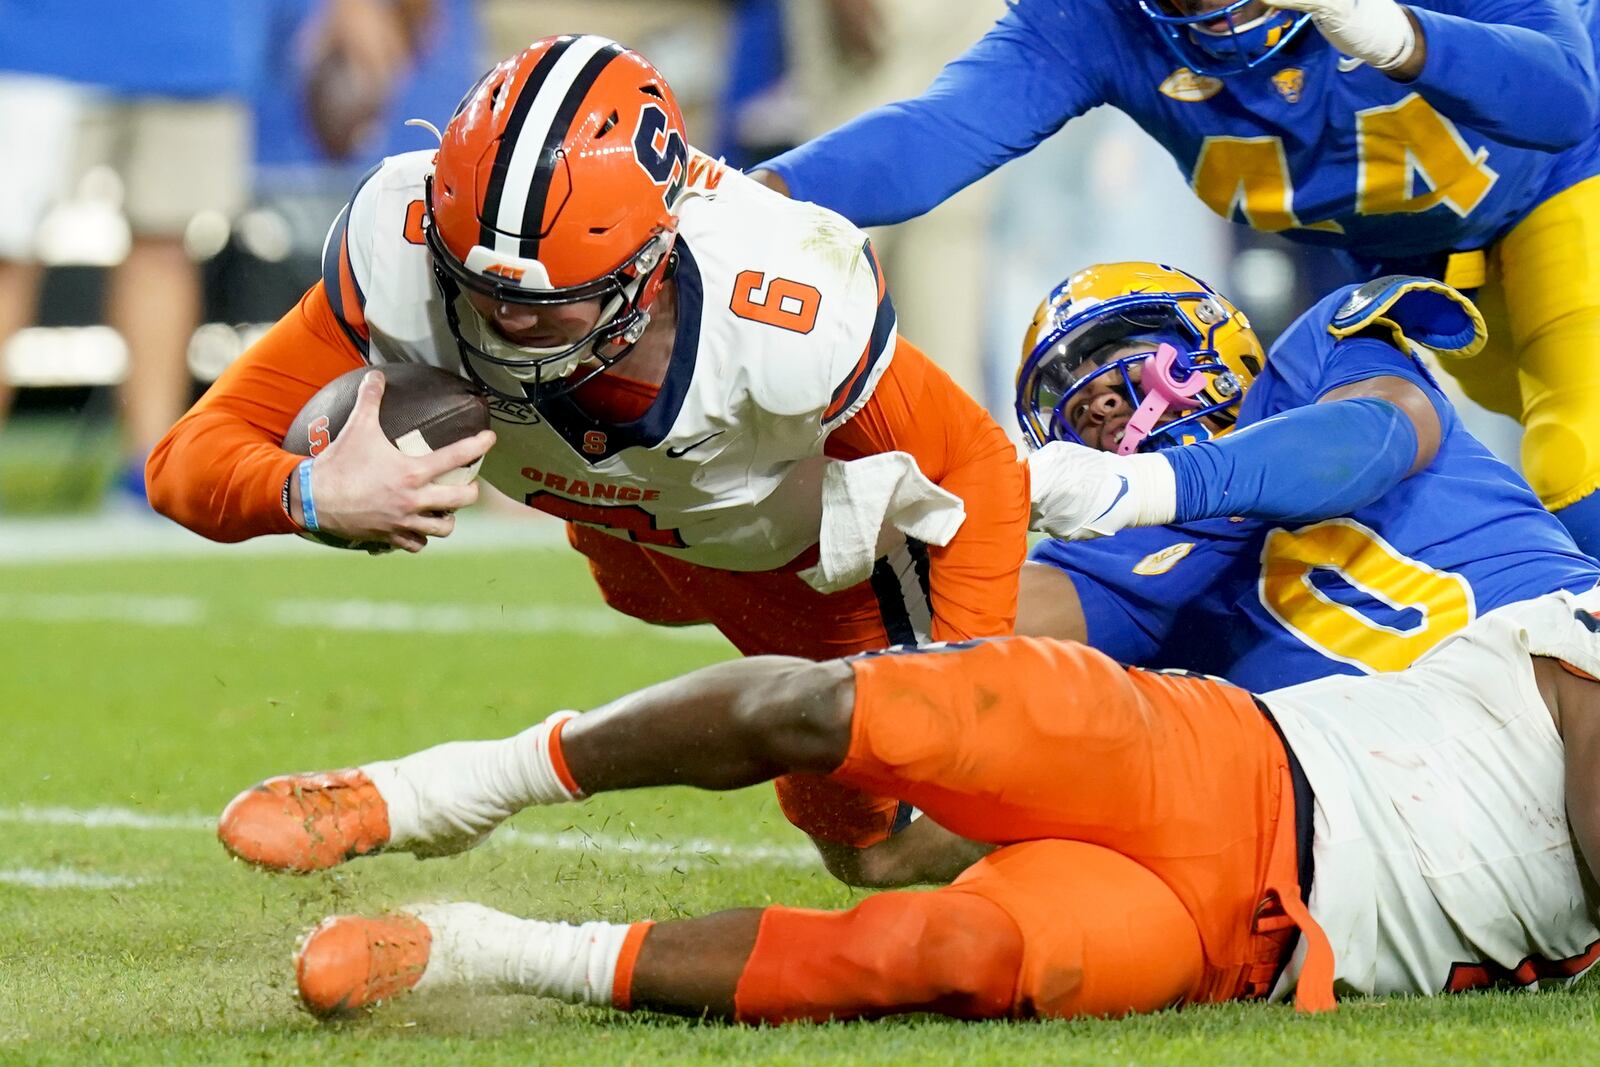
[[1284, 516]]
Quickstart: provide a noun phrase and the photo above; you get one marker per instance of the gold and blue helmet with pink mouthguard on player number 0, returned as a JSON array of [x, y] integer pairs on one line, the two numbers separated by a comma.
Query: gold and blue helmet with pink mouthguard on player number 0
[[1180, 354]]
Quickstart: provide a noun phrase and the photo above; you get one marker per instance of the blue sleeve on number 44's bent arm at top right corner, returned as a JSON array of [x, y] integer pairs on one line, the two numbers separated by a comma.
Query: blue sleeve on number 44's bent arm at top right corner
[[1521, 71]]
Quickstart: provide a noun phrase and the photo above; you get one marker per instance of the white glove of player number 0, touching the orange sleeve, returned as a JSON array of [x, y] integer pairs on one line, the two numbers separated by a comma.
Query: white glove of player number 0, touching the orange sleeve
[[1082, 494]]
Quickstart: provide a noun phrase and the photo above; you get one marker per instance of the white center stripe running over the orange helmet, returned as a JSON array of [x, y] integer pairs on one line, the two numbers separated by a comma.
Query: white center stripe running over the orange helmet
[[532, 134]]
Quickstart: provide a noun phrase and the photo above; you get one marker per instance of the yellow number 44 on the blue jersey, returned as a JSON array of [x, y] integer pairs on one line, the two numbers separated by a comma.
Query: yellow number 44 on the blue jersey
[[1398, 145]]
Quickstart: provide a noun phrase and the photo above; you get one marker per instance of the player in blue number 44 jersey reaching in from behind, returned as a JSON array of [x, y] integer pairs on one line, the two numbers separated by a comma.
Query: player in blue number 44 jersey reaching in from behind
[[1446, 138]]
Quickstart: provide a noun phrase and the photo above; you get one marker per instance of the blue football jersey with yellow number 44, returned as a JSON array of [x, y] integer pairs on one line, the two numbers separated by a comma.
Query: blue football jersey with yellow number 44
[[1311, 143]]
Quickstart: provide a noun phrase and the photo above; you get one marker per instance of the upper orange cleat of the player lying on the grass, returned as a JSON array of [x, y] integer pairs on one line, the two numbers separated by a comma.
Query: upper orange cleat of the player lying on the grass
[[306, 823]]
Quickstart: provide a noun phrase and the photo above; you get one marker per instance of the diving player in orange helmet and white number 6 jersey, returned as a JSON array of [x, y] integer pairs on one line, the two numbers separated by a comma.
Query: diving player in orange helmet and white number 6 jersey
[[703, 378]]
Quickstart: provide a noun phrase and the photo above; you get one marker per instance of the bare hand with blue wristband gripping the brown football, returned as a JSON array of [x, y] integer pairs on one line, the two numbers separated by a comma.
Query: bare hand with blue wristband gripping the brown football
[[369, 490]]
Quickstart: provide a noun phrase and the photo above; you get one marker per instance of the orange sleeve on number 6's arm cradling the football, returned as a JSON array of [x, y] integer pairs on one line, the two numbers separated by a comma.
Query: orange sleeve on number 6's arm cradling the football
[[222, 470]]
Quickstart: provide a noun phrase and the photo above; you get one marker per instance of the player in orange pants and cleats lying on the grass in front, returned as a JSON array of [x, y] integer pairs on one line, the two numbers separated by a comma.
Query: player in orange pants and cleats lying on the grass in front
[[1159, 839]]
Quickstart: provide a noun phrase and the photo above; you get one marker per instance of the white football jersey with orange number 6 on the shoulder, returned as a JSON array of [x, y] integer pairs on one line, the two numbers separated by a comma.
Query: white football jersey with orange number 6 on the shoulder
[[785, 329]]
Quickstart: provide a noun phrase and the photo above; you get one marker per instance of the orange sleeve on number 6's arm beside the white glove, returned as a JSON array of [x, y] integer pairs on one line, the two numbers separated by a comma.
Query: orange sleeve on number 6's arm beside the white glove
[[916, 409]]
